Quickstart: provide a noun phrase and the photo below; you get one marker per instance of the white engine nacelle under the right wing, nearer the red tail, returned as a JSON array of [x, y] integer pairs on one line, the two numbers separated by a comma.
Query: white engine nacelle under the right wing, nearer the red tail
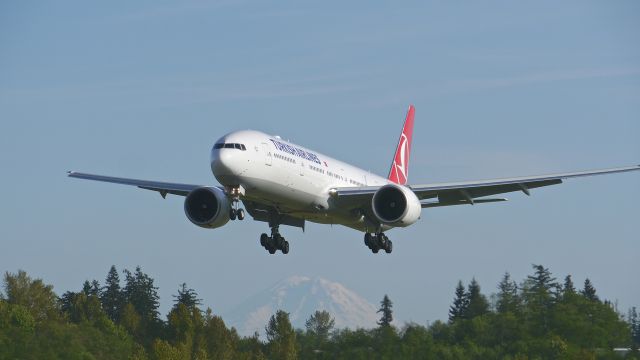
[[396, 205]]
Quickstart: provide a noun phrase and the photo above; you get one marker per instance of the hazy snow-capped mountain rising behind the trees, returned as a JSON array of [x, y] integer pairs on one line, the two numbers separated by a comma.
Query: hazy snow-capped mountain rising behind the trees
[[301, 296]]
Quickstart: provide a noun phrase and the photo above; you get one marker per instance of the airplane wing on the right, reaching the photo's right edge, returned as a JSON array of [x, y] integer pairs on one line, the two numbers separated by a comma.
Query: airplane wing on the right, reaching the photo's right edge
[[468, 192]]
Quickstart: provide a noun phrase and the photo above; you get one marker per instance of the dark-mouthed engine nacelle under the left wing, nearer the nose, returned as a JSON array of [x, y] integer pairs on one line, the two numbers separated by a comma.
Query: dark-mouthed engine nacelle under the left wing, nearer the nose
[[207, 207]]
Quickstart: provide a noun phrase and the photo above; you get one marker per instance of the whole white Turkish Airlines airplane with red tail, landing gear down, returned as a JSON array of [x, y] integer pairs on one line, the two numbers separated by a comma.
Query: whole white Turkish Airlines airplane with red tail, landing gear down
[[286, 184]]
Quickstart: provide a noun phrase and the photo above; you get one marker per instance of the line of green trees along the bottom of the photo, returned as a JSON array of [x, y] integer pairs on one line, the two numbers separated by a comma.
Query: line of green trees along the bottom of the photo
[[538, 318]]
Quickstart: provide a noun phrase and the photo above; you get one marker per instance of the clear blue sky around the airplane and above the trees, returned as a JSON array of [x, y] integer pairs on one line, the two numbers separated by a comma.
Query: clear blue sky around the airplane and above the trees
[[143, 89]]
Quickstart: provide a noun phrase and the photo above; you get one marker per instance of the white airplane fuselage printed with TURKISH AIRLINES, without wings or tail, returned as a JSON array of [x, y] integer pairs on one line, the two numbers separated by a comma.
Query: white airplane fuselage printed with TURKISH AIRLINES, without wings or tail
[[291, 178]]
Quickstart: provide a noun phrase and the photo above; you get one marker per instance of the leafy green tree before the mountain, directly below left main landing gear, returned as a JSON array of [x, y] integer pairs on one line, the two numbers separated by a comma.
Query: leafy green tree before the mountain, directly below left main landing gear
[[281, 336]]
